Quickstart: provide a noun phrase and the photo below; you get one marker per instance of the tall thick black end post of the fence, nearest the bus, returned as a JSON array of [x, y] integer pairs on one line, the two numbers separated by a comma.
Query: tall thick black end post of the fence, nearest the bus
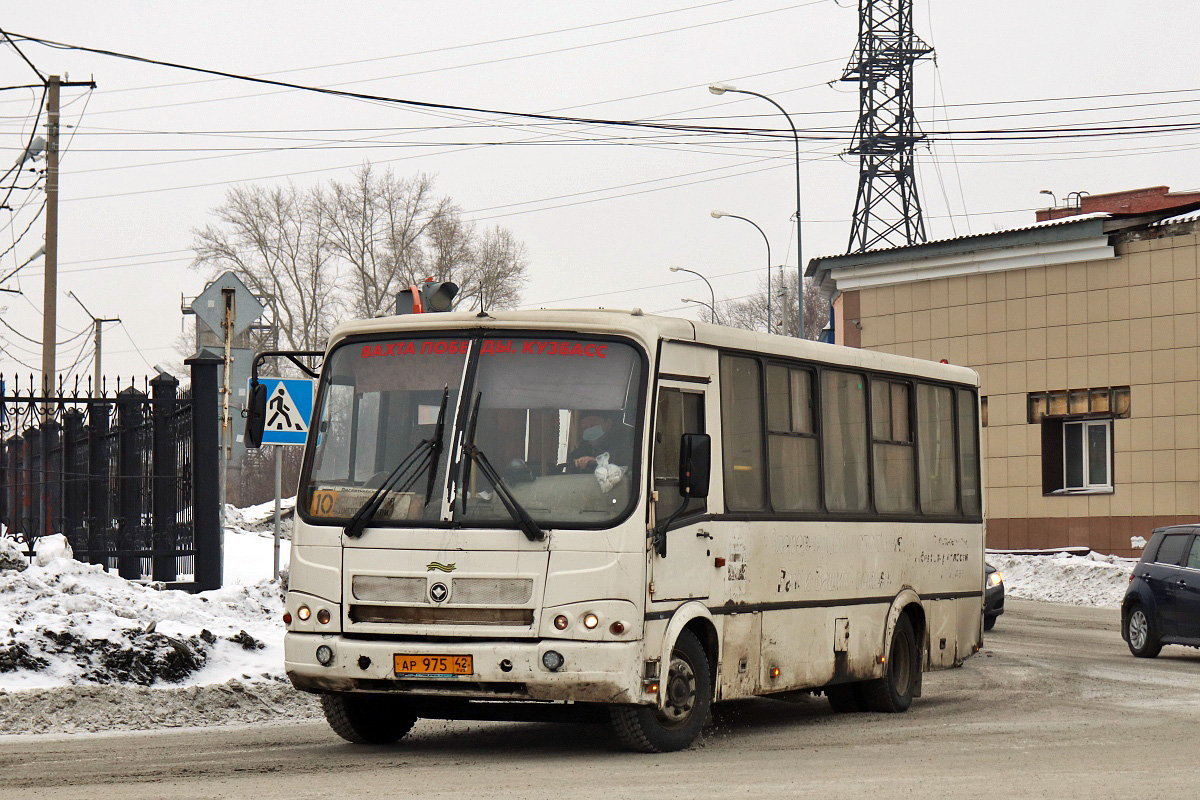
[[206, 471]]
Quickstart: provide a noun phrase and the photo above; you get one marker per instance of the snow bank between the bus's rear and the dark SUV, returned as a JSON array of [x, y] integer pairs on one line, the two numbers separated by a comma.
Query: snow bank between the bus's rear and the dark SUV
[[1091, 580]]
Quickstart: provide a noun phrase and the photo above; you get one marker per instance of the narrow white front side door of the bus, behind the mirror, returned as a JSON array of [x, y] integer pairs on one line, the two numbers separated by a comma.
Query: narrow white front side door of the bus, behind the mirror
[[687, 572]]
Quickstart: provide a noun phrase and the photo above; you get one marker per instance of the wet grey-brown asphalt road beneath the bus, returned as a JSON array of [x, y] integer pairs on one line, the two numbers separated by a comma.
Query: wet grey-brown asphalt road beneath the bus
[[1054, 707]]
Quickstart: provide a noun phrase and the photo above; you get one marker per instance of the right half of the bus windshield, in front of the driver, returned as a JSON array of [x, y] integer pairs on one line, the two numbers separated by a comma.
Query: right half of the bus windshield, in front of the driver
[[559, 419]]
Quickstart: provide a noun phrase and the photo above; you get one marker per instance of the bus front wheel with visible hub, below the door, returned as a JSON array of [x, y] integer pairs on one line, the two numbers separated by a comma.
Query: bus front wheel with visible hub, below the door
[[688, 693]]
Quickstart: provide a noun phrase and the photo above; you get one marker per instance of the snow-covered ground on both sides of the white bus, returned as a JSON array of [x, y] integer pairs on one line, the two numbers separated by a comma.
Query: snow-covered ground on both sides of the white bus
[[82, 649]]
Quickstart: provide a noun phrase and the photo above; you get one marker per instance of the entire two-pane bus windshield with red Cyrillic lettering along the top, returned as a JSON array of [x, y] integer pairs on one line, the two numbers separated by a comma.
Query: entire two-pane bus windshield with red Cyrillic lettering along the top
[[559, 419]]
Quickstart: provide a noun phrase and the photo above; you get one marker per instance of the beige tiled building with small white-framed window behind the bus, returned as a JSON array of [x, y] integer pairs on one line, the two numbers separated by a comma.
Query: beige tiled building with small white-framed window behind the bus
[[1084, 332]]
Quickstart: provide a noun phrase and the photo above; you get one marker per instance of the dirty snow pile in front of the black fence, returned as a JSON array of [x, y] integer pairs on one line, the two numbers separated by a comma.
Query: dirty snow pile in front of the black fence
[[68, 623]]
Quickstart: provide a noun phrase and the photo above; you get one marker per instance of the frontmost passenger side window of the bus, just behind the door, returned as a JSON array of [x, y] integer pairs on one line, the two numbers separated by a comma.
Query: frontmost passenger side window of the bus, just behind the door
[[742, 435]]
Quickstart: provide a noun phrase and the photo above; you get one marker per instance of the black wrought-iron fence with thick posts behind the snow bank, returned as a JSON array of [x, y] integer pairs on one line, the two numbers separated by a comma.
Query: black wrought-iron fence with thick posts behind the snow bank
[[124, 476]]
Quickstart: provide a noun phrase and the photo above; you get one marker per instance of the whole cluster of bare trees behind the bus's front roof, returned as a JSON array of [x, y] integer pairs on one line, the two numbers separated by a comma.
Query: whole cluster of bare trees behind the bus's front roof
[[350, 248]]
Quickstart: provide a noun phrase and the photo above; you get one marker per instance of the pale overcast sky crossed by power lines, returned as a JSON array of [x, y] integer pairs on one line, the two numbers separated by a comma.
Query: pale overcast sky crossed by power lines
[[604, 212]]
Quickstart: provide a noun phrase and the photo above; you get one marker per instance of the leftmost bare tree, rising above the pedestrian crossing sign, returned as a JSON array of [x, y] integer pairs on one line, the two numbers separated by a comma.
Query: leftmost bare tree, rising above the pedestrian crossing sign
[[278, 242]]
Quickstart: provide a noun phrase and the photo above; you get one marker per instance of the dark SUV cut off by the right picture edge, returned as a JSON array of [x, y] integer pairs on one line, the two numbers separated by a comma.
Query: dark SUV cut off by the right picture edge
[[1163, 603]]
